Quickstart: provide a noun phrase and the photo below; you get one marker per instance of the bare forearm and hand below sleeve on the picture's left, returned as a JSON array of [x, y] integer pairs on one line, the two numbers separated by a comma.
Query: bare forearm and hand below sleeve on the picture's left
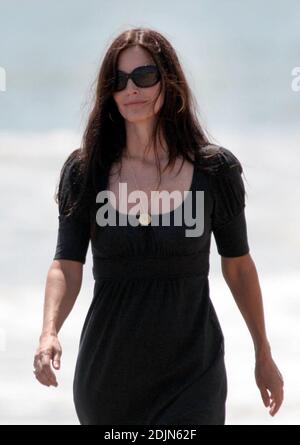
[[63, 285]]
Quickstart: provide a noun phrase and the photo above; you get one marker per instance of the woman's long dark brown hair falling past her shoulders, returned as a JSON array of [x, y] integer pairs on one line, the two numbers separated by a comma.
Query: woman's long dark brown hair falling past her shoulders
[[104, 137]]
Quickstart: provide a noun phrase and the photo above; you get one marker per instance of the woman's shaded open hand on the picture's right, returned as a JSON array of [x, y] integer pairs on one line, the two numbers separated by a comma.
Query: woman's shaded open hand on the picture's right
[[270, 383]]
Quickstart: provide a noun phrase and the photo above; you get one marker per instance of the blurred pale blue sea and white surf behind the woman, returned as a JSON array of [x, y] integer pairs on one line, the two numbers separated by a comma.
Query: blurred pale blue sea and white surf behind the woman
[[238, 58]]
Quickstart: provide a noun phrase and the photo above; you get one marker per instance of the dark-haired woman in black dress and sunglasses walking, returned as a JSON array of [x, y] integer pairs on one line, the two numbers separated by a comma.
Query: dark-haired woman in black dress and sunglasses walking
[[151, 348]]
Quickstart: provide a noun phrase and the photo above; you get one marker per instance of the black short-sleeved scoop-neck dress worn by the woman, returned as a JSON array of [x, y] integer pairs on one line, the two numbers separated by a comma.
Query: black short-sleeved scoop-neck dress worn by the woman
[[151, 349]]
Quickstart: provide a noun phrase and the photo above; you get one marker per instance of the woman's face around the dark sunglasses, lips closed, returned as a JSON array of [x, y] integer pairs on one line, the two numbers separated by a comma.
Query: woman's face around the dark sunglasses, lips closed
[[129, 59]]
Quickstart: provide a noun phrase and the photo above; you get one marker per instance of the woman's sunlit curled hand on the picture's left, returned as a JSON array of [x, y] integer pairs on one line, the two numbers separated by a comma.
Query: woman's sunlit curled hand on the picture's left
[[49, 350]]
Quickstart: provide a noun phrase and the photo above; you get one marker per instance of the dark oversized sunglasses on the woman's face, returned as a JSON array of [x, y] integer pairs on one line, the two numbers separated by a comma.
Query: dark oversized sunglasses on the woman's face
[[144, 76]]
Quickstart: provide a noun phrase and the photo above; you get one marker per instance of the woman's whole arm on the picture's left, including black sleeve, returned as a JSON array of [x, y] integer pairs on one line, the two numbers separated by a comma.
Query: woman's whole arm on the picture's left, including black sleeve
[[65, 273]]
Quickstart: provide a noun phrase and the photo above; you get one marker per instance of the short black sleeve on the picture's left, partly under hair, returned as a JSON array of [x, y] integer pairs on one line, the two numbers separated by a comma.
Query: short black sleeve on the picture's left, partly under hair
[[73, 230]]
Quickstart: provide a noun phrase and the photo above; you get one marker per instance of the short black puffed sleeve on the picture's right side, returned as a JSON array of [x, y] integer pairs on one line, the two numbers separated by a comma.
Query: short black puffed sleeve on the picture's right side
[[229, 225]]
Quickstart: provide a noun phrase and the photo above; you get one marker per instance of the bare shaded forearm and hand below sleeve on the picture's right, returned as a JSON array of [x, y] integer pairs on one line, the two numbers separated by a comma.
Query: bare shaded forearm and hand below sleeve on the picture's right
[[242, 279]]
